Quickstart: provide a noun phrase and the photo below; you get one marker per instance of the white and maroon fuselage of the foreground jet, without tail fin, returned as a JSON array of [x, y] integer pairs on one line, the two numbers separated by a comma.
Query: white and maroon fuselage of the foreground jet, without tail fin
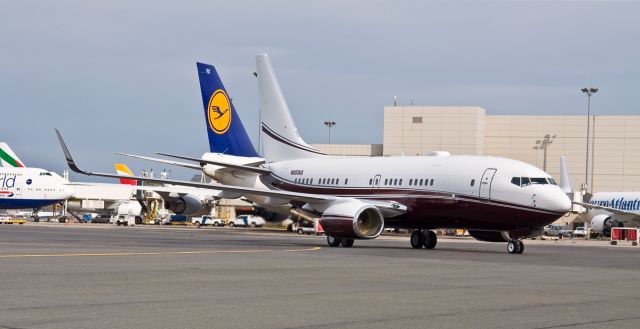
[[468, 187]]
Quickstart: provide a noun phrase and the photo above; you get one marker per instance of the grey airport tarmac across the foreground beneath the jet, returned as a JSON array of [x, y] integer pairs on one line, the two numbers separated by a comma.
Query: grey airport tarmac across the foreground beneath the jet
[[103, 276]]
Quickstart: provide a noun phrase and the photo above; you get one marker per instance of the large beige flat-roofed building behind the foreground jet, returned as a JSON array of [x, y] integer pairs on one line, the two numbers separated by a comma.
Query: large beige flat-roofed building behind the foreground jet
[[614, 143]]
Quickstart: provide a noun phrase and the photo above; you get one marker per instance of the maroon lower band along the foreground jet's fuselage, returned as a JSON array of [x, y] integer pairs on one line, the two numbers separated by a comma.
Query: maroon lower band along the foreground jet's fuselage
[[436, 209]]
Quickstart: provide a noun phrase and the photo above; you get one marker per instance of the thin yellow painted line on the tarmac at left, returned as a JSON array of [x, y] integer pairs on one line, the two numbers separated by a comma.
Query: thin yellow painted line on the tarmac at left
[[195, 252]]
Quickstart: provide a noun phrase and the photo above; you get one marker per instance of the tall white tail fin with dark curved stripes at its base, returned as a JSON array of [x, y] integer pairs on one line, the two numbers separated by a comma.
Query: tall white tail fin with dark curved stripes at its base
[[280, 137]]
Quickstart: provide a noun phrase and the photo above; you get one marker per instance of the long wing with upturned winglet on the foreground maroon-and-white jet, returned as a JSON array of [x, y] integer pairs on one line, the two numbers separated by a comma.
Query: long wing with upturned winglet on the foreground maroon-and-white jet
[[276, 194]]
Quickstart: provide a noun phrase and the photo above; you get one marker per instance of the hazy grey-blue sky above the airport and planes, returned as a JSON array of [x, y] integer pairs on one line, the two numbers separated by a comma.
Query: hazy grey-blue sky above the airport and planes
[[121, 75]]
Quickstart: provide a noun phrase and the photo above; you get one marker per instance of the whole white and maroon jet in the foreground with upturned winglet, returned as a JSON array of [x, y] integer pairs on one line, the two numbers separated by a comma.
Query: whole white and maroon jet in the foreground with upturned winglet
[[496, 199]]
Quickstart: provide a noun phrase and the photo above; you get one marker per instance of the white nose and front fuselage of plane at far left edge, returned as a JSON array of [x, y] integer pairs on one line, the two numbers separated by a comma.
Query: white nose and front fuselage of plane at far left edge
[[31, 188]]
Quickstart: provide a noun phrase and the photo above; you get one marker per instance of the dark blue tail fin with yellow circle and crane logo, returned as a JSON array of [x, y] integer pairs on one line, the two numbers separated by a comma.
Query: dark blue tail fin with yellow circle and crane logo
[[226, 132]]
